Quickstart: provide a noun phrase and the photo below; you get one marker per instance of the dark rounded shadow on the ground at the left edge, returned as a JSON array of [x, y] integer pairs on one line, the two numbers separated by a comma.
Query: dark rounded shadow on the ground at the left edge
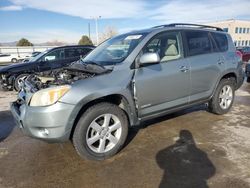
[[7, 124]]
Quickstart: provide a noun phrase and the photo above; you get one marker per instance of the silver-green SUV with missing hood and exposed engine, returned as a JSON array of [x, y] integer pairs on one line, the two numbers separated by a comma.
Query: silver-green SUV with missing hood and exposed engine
[[128, 79]]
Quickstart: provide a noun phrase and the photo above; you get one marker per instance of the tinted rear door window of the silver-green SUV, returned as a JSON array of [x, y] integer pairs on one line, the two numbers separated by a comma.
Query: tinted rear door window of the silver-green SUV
[[198, 43]]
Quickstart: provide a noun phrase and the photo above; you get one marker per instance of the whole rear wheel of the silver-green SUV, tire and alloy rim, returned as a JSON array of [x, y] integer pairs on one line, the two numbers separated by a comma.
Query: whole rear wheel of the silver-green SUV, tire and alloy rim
[[216, 104]]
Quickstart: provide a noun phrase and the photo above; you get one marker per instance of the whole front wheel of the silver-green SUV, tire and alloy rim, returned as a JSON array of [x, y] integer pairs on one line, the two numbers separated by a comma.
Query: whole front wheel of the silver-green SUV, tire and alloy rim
[[94, 117]]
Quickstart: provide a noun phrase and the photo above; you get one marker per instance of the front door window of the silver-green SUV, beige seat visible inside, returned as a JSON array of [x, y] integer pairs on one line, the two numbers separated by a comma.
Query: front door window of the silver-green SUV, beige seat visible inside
[[166, 45]]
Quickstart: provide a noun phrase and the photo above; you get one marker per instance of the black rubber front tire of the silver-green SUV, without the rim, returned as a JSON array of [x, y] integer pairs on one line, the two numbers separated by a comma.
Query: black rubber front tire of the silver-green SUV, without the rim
[[79, 137]]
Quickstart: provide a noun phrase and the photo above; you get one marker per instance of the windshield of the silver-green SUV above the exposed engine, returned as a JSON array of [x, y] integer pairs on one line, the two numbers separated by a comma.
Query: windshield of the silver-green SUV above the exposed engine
[[115, 50]]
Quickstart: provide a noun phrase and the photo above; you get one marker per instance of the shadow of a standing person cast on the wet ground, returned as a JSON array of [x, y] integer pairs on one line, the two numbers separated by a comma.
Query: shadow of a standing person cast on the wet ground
[[184, 164]]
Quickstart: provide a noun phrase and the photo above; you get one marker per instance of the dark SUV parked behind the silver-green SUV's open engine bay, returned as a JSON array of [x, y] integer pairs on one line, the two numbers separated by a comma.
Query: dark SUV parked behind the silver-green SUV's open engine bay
[[12, 75]]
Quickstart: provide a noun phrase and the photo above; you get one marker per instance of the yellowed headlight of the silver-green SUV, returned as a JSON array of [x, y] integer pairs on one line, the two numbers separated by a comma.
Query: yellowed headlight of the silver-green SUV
[[48, 96]]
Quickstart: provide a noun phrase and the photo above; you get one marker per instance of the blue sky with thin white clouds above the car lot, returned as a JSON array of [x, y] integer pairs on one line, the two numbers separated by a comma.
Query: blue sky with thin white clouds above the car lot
[[66, 20]]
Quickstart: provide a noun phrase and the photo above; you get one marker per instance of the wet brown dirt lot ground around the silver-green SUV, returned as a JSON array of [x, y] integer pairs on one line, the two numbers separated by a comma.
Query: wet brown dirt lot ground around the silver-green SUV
[[214, 151]]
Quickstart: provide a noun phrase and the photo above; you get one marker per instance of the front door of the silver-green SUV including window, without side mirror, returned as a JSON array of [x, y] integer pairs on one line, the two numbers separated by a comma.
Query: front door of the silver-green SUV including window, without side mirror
[[165, 85]]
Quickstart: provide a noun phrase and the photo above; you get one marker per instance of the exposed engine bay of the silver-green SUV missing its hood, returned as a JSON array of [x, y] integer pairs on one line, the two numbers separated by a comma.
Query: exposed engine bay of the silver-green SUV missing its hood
[[76, 71]]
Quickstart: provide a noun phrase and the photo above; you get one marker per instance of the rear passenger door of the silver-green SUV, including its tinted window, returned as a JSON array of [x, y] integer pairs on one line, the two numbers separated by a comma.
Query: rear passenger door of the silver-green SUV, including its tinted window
[[206, 63]]
